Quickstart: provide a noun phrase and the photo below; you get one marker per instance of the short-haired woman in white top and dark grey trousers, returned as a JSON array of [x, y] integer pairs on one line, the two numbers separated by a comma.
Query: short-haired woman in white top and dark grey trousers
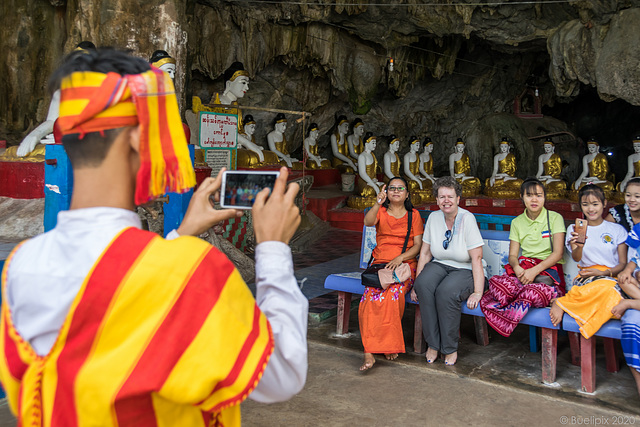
[[449, 270]]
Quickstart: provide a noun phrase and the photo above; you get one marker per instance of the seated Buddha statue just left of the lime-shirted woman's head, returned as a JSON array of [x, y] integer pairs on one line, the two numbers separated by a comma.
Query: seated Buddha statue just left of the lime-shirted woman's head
[[503, 183]]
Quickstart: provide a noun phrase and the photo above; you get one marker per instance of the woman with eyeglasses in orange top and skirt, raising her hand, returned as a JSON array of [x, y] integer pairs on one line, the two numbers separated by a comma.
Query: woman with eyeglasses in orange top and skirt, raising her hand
[[380, 312]]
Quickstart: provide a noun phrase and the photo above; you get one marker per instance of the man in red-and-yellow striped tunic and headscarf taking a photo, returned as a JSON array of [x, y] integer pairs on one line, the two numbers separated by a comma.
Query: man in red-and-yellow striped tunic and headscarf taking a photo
[[105, 324]]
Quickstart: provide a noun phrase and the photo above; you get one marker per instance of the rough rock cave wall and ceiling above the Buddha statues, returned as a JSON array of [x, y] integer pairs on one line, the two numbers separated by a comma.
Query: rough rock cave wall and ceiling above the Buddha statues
[[457, 67]]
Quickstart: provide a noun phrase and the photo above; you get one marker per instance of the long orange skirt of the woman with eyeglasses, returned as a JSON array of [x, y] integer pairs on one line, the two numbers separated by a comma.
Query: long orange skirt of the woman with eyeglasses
[[380, 317]]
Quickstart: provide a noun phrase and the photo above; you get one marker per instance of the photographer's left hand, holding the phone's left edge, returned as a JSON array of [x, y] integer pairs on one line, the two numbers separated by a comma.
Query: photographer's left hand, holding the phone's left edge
[[201, 215]]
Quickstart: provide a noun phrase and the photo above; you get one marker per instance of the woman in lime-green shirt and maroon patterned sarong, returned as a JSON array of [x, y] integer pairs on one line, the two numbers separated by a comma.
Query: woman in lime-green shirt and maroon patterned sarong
[[534, 278]]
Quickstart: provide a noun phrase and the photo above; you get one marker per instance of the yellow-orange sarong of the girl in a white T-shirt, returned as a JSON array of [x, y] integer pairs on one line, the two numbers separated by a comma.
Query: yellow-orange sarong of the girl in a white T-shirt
[[590, 303]]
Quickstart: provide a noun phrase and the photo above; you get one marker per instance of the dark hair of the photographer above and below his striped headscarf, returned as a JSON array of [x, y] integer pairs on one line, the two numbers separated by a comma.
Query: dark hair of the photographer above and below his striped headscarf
[[90, 149]]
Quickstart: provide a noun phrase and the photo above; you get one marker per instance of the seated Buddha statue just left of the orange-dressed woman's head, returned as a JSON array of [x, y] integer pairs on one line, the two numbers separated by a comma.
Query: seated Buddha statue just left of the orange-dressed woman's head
[[368, 186]]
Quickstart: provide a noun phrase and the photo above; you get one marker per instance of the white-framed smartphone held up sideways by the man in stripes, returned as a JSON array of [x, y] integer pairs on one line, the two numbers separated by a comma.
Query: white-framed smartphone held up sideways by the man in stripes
[[239, 188]]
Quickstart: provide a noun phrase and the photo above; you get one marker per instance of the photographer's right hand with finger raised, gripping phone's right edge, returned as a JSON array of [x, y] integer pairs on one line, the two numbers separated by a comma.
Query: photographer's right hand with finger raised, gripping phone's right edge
[[275, 216]]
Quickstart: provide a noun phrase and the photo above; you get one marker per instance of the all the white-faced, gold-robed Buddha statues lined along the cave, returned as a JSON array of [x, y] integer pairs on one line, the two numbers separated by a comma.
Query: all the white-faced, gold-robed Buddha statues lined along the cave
[[353, 153]]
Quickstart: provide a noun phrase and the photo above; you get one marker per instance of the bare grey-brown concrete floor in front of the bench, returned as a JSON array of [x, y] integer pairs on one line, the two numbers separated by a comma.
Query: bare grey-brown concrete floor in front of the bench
[[401, 393]]
